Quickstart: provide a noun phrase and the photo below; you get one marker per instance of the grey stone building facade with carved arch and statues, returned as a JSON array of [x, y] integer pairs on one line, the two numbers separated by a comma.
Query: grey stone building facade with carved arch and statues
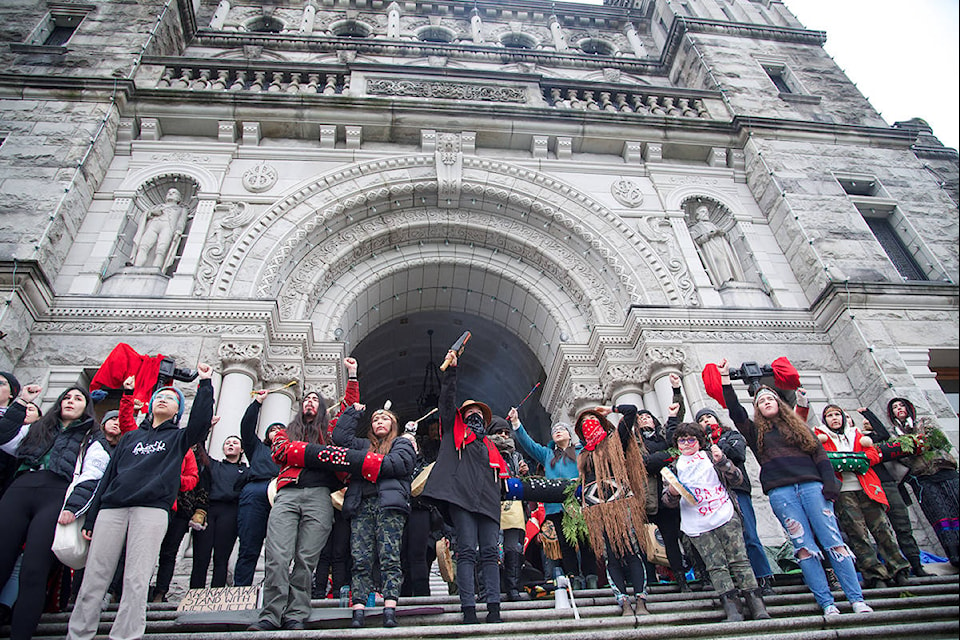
[[602, 194]]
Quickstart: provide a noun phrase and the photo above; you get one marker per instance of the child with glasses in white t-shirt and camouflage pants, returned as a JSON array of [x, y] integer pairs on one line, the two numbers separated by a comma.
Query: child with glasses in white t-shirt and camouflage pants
[[711, 520]]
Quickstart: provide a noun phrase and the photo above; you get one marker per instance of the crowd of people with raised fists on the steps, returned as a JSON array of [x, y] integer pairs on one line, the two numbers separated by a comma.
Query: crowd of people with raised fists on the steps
[[356, 507]]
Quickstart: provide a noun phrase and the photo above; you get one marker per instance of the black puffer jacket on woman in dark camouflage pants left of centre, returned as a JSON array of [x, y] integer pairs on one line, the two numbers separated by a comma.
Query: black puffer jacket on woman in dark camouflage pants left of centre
[[396, 470]]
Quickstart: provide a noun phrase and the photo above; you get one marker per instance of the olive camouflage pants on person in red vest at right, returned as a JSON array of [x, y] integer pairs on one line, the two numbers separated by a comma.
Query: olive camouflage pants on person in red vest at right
[[859, 517]]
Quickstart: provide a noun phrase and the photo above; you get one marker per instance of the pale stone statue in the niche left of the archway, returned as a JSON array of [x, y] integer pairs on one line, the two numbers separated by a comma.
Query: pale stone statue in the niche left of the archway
[[159, 234]]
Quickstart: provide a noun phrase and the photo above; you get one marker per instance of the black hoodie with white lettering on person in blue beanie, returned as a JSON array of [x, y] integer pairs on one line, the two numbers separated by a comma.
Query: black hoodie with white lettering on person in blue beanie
[[145, 468]]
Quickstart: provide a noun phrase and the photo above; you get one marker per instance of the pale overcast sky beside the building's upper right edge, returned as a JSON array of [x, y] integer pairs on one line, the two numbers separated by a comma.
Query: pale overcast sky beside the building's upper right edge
[[903, 56]]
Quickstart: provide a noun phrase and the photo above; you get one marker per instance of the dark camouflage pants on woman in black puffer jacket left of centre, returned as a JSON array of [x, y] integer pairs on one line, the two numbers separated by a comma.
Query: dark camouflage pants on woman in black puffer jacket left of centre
[[375, 535]]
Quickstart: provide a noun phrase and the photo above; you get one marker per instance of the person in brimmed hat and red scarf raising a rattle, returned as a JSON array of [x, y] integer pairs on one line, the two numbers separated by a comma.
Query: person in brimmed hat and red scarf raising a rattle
[[466, 480]]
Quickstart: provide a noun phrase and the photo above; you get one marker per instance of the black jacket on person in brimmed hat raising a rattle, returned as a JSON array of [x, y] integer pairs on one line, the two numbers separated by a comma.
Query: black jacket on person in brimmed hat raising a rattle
[[463, 478]]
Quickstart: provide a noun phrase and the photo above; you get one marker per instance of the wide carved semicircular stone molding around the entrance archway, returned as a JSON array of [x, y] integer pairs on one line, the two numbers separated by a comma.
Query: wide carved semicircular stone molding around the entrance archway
[[562, 245]]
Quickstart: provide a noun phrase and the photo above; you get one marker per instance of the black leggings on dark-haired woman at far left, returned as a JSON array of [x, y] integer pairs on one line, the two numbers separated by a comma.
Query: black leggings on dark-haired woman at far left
[[29, 511]]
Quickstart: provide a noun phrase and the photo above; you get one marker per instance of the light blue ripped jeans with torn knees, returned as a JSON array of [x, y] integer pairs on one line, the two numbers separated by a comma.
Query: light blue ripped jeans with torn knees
[[808, 517]]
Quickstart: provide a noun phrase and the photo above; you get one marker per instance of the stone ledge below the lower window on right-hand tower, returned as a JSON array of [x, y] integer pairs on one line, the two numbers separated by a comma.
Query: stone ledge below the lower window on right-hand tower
[[838, 297]]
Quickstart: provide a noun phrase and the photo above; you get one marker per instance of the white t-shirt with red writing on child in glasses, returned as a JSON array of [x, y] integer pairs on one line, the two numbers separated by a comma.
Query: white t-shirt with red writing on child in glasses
[[713, 508]]
